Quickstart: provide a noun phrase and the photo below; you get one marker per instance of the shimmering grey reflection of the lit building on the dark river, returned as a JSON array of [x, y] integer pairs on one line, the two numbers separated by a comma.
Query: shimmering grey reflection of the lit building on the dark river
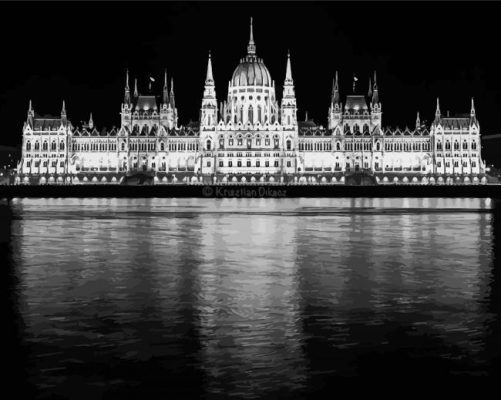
[[247, 296]]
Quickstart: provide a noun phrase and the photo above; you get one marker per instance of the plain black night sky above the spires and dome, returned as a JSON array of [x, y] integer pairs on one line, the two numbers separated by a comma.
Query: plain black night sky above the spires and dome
[[79, 52]]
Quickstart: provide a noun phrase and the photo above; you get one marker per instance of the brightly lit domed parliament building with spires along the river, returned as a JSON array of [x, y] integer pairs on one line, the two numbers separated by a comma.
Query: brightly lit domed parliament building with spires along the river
[[250, 137]]
